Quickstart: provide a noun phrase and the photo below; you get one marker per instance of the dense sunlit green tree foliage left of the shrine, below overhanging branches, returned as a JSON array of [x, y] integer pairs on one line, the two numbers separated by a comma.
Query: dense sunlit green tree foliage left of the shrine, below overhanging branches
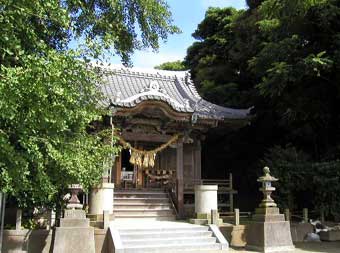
[[45, 142]]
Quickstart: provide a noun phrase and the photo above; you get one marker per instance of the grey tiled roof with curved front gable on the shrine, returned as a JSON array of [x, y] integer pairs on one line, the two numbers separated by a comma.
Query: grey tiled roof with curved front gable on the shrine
[[127, 87]]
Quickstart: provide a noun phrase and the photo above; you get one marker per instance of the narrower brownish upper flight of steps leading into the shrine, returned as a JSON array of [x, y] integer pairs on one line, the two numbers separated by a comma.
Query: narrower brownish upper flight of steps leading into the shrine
[[143, 204]]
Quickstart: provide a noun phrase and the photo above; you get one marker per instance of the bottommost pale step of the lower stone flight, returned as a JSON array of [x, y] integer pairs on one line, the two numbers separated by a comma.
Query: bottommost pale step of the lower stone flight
[[197, 247]]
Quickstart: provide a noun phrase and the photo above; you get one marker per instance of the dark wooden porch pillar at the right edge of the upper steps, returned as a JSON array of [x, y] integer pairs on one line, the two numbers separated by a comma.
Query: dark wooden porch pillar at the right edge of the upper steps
[[179, 175]]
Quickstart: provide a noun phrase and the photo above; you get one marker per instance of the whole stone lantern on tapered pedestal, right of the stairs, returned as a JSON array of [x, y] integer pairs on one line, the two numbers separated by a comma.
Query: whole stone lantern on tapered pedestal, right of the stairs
[[268, 232]]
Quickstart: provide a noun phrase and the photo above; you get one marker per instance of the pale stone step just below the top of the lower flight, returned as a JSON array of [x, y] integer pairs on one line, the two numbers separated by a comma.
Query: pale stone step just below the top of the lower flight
[[167, 234]]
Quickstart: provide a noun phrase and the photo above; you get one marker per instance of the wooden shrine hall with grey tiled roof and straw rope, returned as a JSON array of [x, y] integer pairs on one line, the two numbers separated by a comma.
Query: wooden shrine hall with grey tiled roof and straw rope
[[161, 120]]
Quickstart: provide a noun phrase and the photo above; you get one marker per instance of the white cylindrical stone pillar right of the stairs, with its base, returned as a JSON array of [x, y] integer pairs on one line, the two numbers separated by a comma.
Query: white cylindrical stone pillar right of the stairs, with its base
[[205, 202]]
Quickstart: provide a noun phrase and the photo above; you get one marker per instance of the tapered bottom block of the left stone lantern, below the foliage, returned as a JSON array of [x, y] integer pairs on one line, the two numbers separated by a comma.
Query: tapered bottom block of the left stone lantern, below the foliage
[[74, 240]]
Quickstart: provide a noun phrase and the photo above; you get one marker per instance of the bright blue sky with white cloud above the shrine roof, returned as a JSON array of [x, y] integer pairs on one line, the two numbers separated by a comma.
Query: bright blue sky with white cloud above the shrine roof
[[187, 14]]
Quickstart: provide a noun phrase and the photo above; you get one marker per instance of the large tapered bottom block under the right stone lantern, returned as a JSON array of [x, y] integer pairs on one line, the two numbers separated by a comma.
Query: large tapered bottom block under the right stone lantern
[[269, 237]]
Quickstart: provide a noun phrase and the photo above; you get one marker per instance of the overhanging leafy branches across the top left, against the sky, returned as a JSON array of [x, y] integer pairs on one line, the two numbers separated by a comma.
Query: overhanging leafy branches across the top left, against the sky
[[102, 25]]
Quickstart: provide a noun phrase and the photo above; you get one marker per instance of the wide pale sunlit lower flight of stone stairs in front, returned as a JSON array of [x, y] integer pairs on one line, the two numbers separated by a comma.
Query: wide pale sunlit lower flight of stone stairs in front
[[175, 238]]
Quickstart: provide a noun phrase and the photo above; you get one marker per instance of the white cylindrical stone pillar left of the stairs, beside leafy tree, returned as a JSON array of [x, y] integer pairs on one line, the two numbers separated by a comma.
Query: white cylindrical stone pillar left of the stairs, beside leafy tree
[[101, 198]]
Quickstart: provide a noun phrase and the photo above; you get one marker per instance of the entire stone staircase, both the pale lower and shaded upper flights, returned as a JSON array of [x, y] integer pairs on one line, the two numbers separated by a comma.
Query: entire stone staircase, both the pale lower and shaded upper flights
[[144, 222]]
